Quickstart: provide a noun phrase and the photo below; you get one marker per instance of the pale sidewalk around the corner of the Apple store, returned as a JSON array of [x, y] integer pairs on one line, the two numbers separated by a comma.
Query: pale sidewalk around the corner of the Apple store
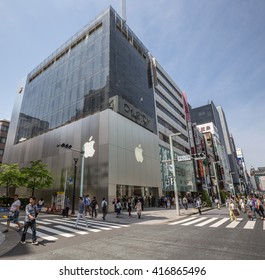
[[150, 216]]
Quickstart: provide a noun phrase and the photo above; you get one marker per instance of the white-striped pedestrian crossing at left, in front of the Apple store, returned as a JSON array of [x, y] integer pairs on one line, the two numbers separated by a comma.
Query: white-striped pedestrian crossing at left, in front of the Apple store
[[51, 229]]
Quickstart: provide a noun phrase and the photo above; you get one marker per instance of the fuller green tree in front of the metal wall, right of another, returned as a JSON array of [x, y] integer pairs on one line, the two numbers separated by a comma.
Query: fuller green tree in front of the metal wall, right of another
[[37, 176]]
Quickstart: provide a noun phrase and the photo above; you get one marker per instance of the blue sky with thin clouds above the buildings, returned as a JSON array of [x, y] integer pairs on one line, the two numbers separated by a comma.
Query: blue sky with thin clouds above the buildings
[[214, 50]]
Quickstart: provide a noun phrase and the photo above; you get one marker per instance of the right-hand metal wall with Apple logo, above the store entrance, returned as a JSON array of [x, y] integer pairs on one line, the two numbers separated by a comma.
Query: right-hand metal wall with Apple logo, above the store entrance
[[137, 157]]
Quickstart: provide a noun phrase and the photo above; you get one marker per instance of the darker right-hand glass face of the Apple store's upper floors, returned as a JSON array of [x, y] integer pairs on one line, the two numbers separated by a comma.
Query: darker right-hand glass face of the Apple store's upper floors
[[131, 88]]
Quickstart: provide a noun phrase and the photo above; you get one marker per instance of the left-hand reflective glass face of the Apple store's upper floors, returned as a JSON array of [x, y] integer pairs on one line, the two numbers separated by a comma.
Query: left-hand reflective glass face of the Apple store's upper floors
[[69, 85]]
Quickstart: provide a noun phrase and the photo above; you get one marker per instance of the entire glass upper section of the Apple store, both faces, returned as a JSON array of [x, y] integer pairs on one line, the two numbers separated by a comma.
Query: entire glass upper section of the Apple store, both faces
[[95, 69]]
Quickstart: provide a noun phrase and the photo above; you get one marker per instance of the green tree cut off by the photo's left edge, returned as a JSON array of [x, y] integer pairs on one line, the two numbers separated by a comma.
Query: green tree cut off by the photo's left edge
[[10, 175]]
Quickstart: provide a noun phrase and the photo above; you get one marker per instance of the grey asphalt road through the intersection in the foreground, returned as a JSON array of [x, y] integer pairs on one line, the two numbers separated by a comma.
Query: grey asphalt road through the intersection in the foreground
[[154, 241]]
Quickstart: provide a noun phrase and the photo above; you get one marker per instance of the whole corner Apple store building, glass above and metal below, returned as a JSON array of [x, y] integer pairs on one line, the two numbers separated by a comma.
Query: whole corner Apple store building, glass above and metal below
[[94, 94]]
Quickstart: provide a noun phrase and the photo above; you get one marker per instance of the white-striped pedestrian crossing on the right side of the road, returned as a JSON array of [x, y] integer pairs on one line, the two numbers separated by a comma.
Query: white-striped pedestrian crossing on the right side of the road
[[216, 222]]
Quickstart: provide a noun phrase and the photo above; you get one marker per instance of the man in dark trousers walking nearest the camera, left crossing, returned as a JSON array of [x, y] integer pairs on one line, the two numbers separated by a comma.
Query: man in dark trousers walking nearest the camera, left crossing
[[31, 213]]
